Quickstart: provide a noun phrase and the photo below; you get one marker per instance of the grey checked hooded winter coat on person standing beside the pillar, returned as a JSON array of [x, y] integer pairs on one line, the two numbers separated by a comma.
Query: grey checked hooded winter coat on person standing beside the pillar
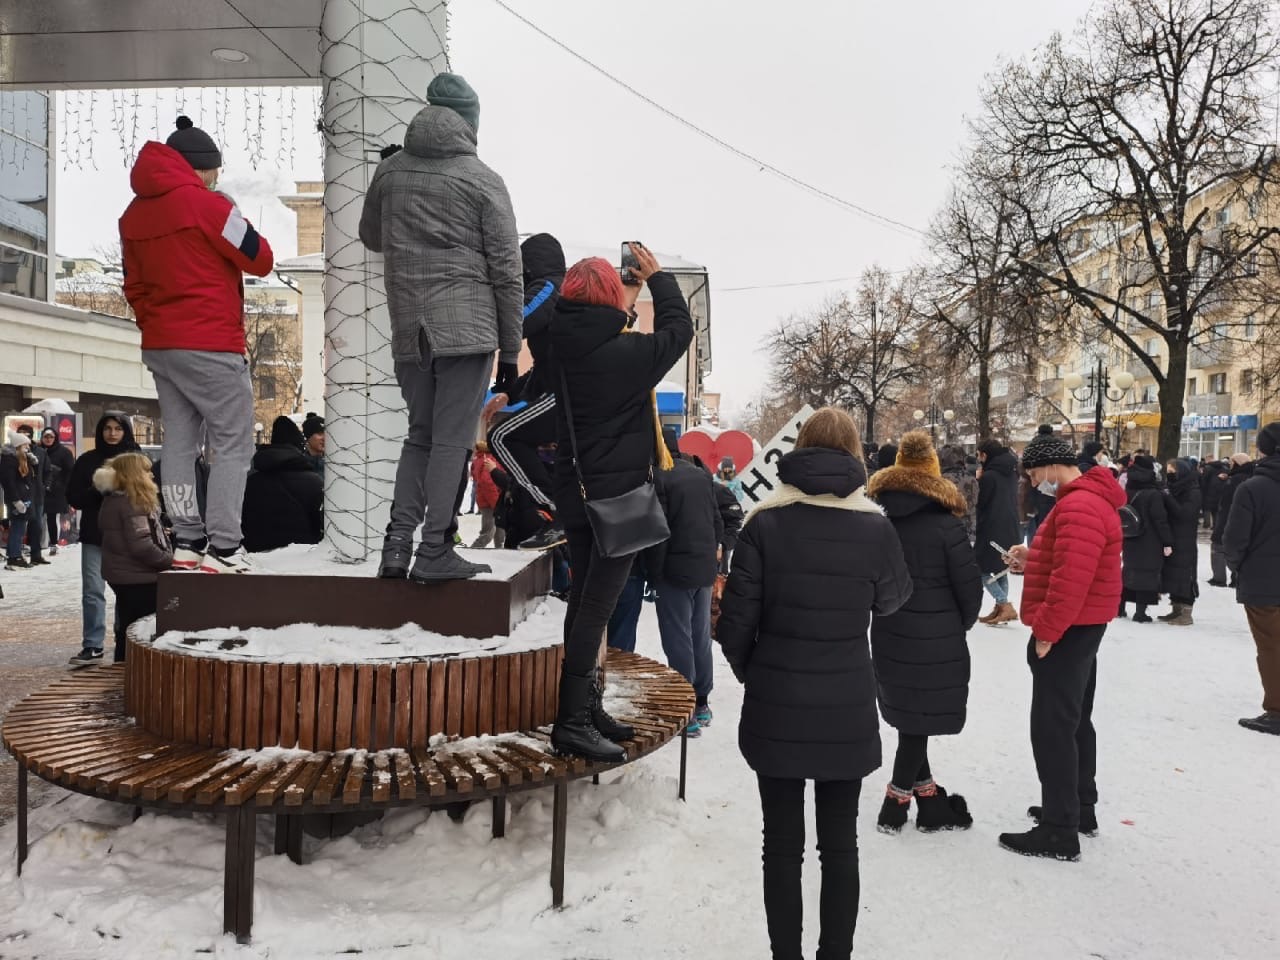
[[445, 223]]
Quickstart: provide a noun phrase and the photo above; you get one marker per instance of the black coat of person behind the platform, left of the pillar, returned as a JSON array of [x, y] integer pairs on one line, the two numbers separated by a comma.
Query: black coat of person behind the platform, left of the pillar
[[284, 501]]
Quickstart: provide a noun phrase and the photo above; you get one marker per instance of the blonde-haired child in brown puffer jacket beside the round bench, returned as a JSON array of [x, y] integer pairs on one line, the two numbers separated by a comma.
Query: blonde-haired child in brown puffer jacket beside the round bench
[[135, 548]]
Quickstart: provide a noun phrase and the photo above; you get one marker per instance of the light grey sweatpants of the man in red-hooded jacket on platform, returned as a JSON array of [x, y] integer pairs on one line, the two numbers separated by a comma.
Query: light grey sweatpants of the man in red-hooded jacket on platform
[[204, 397]]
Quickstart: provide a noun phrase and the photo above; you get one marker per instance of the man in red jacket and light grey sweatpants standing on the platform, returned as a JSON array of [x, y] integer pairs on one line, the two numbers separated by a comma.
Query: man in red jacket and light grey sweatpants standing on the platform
[[186, 250]]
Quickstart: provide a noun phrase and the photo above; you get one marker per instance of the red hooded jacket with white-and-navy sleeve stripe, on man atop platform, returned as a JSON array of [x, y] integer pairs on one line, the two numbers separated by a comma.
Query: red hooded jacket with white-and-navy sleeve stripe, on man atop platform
[[186, 250]]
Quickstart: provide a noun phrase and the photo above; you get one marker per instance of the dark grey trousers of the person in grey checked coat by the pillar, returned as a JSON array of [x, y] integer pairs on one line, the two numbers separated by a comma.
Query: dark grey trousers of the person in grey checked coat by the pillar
[[444, 397]]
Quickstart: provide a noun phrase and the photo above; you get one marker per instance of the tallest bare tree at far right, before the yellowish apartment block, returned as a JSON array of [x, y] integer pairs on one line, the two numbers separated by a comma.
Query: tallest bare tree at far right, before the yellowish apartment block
[[1121, 139]]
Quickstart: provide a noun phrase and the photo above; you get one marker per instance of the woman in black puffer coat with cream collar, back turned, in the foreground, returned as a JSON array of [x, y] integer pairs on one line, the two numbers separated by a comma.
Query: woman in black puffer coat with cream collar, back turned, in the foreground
[[812, 566]]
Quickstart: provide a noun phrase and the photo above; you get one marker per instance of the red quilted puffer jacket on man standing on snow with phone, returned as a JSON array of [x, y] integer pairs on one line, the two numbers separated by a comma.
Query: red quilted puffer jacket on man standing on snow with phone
[[1073, 568]]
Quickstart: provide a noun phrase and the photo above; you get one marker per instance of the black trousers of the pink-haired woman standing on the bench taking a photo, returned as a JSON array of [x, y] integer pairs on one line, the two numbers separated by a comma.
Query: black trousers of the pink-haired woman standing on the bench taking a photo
[[593, 595]]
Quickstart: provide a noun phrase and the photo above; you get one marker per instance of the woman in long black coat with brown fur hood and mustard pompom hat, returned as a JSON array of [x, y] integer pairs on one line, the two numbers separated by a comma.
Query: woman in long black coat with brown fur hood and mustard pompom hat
[[921, 653]]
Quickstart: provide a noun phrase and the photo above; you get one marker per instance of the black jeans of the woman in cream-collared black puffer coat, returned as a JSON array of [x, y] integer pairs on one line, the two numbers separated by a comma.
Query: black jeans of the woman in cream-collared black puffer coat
[[783, 804]]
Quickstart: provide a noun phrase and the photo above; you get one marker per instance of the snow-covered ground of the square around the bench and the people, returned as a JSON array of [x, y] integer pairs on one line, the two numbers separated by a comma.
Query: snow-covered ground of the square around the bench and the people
[[1186, 866]]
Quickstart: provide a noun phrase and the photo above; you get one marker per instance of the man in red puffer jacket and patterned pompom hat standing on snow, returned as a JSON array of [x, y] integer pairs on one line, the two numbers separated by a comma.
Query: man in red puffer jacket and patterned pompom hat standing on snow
[[1071, 592]]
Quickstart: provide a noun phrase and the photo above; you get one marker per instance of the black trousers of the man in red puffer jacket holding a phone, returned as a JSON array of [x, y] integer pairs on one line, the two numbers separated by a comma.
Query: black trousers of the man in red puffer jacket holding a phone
[[1063, 737]]
